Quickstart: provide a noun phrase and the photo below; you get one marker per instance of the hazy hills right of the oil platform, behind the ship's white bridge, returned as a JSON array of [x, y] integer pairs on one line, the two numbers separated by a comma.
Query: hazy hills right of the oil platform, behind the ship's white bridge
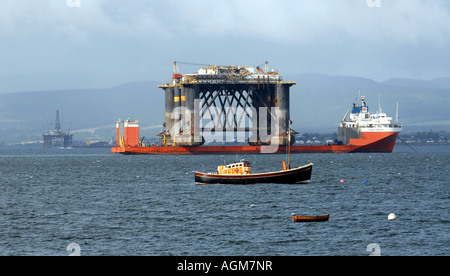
[[318, 102]]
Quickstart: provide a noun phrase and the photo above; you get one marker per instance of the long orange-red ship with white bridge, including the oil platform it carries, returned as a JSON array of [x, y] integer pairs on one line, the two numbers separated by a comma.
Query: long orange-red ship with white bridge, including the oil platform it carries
[[221, 100]]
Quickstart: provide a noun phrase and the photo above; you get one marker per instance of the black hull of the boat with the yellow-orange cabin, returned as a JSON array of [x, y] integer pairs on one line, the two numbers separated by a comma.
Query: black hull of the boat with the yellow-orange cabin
[[292, 176]]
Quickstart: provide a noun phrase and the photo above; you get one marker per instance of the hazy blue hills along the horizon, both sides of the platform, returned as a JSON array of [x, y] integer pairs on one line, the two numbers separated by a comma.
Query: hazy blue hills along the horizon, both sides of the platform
[[318, 103]]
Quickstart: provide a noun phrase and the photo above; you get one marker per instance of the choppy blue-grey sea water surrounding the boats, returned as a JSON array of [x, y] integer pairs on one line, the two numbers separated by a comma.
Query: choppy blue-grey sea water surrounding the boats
[[112, 204]]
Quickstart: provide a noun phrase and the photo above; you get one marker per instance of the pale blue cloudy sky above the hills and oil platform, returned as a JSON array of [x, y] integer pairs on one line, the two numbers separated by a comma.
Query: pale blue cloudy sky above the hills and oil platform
[[71, 44]]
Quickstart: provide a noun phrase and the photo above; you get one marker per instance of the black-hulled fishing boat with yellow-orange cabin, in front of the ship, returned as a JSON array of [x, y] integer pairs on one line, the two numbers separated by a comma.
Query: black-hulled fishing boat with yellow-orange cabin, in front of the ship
[[240, 173]]
